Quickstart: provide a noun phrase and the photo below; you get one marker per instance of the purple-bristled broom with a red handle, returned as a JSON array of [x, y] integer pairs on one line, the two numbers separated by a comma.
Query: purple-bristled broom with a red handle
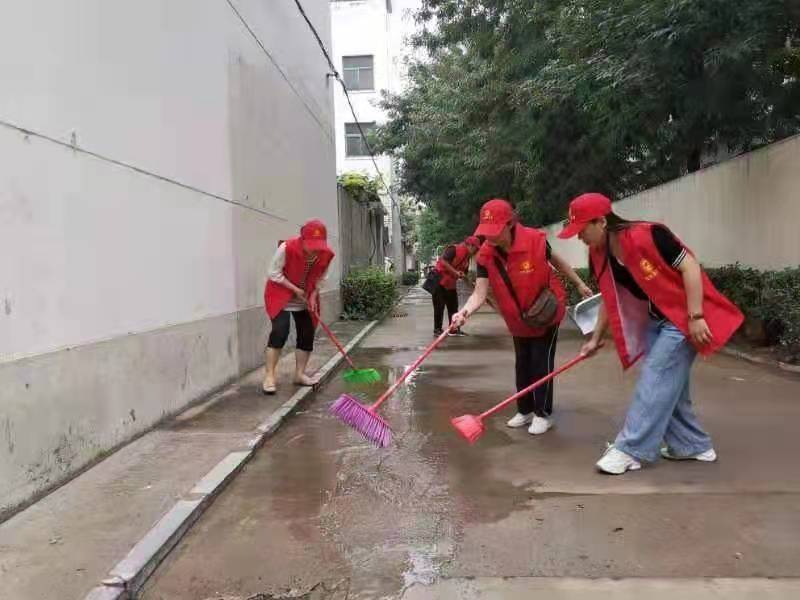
[[365, 419]]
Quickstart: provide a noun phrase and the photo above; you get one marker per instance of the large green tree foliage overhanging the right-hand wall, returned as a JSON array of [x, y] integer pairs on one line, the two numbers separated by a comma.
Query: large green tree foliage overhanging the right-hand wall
[[537, 101]]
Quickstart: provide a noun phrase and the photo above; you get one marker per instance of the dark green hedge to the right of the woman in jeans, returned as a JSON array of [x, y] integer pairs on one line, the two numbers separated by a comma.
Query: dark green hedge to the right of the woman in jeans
[[771, 297]]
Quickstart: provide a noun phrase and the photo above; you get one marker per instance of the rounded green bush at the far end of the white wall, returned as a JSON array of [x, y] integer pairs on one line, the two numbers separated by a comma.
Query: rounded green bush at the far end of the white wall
[[367, 294]]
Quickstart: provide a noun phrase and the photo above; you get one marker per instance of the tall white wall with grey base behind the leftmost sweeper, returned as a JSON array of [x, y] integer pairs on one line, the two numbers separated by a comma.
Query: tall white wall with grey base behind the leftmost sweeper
[[152, 156]]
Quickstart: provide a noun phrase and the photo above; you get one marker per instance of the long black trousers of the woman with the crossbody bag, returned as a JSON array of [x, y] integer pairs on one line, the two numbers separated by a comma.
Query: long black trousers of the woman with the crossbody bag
[[536, 359]]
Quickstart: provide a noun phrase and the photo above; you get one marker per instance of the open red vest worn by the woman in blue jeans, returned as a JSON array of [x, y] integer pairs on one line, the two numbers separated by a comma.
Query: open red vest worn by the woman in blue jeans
[[628, 316]]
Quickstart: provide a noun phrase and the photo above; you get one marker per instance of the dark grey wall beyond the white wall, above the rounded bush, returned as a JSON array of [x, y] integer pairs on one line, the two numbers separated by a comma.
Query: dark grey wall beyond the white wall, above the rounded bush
[[362, 242]]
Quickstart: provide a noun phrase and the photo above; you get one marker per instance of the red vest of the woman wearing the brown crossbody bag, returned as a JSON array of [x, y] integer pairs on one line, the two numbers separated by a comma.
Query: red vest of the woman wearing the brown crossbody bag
[[529, 273]]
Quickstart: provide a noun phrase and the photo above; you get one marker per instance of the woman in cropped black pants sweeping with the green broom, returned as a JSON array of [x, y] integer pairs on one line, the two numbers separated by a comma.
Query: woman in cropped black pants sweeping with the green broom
[[297, 269]]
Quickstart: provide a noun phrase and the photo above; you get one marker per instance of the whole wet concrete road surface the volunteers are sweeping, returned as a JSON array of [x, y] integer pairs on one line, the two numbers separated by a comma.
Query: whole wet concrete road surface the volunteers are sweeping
[[321, 514]]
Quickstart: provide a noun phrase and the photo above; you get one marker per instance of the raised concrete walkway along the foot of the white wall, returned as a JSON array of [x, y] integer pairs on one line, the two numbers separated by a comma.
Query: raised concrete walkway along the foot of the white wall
[[65, 544]]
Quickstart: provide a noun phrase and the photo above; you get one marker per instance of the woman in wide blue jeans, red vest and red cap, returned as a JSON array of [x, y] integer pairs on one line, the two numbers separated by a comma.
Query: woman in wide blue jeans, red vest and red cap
[[661, 305]]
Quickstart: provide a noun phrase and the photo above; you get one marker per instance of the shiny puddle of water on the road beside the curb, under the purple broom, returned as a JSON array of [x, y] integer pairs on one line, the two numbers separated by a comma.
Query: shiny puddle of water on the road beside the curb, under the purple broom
[[332, 507]]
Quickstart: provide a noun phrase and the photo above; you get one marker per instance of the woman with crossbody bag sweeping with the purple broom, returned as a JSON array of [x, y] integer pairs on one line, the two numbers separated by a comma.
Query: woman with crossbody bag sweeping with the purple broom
[[516, 262]]
